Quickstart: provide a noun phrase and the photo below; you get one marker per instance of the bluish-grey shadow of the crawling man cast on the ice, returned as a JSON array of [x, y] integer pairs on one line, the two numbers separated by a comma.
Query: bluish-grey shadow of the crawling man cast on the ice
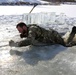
[[32, 55]]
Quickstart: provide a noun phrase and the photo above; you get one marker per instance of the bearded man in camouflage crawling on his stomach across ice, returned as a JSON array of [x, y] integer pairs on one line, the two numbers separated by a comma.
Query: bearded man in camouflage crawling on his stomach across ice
[[36, 35]]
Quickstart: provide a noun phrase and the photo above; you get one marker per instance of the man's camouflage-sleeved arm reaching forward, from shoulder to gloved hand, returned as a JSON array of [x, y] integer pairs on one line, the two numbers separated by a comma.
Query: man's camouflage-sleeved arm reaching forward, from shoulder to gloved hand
[[30, 40]]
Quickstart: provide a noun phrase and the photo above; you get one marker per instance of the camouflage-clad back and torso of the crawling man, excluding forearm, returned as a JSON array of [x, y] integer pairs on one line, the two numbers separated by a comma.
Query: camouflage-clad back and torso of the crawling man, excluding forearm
[[45, 36]]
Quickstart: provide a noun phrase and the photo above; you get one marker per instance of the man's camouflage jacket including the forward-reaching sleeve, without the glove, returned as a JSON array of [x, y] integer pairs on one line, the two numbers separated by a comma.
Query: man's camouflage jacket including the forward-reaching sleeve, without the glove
[[38, 35]]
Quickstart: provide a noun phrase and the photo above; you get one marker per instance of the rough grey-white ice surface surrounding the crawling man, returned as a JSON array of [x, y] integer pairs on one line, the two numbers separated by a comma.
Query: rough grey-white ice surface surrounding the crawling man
[[30, 60]]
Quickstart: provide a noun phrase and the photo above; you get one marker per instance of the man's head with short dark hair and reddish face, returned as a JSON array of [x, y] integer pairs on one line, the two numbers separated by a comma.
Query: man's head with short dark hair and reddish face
[[22, 27]]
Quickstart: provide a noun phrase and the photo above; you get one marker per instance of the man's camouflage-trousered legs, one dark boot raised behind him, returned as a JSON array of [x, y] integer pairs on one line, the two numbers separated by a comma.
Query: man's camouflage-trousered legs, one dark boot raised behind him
[[57, 38]]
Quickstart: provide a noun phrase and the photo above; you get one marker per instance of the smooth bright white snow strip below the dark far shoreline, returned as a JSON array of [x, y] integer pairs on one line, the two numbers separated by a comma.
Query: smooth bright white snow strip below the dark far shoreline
[[69, 10]]
